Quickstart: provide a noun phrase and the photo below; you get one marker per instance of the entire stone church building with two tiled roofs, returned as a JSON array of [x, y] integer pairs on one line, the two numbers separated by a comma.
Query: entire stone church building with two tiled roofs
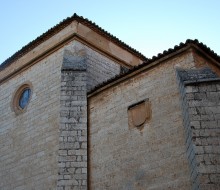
[[80, 109]]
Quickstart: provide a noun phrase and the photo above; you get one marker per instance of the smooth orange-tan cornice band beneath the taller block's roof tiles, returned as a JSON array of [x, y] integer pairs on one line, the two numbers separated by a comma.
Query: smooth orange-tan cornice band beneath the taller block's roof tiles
[[74, 31]]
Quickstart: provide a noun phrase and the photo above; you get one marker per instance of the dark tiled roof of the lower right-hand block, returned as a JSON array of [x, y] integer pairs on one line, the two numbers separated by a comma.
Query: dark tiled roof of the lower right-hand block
[[189, 43]]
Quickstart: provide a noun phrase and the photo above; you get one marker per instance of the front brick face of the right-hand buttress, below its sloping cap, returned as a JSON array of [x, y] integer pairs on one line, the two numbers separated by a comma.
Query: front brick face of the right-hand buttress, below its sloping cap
[[204, 112]]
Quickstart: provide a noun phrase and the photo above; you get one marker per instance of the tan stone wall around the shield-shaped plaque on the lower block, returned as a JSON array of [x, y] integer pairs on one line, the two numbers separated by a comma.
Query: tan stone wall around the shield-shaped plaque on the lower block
[[129, 158]]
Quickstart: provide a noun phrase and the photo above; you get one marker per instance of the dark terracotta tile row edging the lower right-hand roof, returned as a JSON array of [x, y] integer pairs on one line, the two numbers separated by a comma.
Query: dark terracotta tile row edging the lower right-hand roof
[[188, 42]]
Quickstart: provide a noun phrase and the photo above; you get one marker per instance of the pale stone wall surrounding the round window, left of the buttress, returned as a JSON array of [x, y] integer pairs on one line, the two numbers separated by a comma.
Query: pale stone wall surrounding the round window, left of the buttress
[[29, 141]]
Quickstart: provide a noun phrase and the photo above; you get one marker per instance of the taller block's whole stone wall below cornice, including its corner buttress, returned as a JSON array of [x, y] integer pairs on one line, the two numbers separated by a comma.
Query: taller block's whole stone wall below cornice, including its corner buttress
[[46, 146]]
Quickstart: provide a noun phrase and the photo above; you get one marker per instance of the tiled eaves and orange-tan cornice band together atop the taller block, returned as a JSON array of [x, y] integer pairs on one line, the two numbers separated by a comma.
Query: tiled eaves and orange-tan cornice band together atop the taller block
[[78, 29]]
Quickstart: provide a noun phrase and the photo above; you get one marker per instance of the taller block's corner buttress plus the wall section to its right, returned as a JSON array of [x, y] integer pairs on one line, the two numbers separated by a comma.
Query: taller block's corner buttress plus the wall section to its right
[[82, 69]]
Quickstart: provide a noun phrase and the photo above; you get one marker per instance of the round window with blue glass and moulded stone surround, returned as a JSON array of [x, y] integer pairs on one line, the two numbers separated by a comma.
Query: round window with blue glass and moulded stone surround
[[21, 98]]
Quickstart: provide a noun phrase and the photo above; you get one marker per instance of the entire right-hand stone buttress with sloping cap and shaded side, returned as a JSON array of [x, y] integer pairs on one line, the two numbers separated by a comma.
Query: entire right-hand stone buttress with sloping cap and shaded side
[[200, 91]]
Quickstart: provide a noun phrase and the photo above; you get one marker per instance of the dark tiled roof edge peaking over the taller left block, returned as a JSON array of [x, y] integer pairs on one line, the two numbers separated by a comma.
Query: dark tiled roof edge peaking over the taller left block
[[57, 28]]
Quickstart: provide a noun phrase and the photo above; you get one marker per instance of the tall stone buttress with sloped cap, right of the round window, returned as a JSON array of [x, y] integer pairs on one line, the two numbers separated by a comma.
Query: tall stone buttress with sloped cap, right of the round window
[[72, 156]]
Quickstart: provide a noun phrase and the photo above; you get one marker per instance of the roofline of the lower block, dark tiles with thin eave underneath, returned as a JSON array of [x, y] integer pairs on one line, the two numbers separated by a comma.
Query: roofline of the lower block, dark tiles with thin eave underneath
[[182, 47]]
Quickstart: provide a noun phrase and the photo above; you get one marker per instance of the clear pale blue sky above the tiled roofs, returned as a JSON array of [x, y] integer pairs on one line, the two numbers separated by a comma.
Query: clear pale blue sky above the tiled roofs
[[149, 26]]
